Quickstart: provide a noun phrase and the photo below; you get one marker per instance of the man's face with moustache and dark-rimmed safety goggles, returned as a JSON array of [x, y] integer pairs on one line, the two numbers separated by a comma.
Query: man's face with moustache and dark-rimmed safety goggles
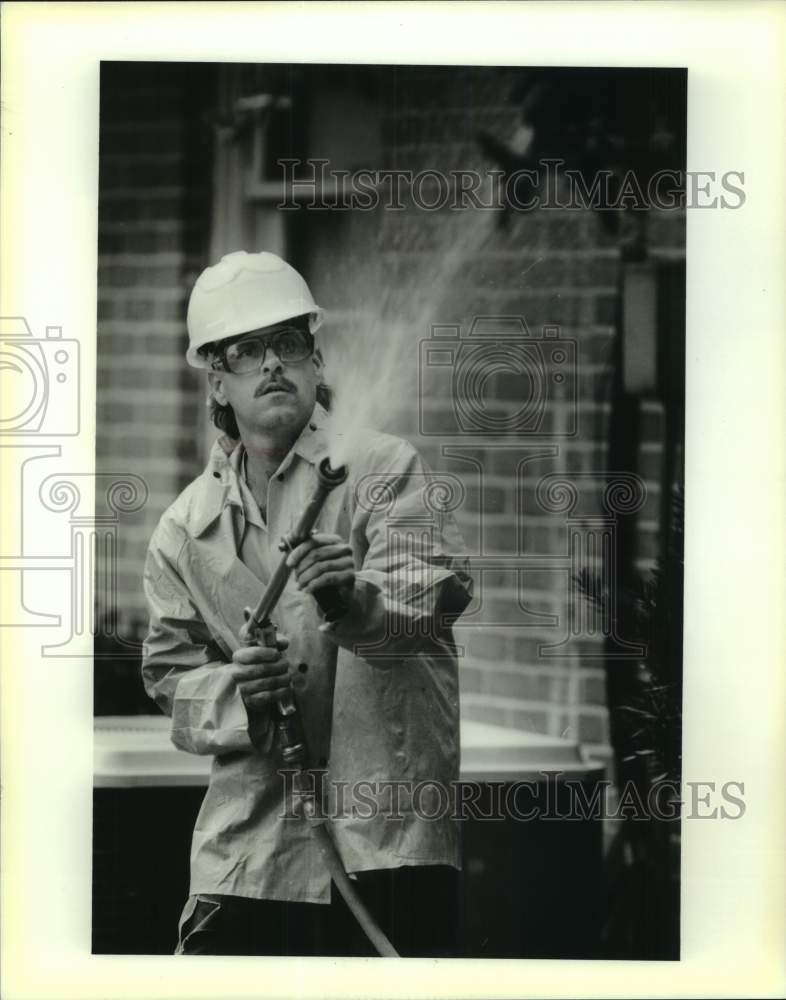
[[276, 396]]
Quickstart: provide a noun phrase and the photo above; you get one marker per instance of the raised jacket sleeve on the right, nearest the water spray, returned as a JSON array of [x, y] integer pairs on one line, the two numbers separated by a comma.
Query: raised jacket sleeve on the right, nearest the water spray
[[413, 578]]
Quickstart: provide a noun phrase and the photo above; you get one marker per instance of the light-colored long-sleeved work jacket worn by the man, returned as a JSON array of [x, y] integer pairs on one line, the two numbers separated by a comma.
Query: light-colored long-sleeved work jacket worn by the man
[[378, 690]]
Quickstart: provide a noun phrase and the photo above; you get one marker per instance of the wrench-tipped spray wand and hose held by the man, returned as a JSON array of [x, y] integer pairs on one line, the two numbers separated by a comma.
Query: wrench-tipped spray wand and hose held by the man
[[259, 630]]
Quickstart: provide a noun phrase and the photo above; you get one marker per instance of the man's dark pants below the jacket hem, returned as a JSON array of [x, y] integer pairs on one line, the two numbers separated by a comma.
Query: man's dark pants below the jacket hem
[[416, 907]]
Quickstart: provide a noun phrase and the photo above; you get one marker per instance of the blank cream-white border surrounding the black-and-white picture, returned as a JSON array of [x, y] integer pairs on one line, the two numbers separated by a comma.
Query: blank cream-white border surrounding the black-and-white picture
[[735, 687]]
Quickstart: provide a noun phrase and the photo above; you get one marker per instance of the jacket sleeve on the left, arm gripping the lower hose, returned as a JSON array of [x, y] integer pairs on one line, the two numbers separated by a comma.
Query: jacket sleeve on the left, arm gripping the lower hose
[[183, 669]]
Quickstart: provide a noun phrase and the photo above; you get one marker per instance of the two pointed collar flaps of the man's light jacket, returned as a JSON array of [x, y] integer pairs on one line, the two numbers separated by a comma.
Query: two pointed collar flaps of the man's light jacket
[[218, 486]]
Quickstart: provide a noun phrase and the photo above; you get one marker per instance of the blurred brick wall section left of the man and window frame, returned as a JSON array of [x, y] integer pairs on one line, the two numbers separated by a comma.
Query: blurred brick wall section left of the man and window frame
[[154, 206]]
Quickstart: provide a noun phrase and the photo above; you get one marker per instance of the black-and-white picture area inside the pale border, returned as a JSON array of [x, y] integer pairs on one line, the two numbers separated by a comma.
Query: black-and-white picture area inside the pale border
[[407, 591]]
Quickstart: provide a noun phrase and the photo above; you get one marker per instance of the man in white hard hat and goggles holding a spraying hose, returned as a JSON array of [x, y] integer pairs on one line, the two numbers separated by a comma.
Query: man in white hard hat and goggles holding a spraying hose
[[376, 684]]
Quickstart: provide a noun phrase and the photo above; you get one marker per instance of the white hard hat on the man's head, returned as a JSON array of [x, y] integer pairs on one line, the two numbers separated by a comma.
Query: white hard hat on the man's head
[[245, 291]]
